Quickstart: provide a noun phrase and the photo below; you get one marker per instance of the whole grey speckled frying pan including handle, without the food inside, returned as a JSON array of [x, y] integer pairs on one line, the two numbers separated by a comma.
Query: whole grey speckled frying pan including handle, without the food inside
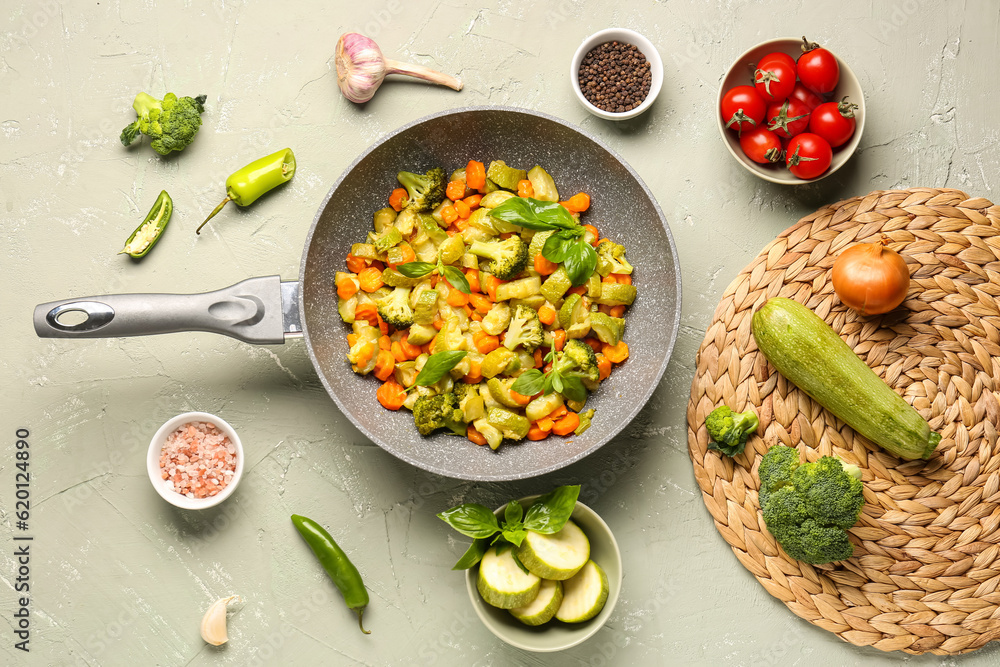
[[267, 310]]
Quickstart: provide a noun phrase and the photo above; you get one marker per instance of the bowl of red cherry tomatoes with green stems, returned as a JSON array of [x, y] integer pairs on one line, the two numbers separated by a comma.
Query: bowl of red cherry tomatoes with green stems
[[791, 111]]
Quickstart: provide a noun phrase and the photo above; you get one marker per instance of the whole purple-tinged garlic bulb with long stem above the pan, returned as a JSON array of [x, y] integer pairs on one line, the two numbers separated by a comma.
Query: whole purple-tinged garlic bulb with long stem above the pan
[[361, 68]]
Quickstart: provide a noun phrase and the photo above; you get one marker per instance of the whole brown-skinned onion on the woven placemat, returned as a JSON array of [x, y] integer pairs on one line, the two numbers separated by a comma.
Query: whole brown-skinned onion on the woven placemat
[[871, 278]]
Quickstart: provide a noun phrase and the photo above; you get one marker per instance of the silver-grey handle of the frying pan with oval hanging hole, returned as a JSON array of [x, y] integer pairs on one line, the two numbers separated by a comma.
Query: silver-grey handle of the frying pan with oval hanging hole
[[250, 311]]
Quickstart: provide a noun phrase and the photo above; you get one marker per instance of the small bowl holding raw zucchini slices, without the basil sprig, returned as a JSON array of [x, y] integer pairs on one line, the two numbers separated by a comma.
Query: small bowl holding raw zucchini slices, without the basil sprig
[[555, 590]]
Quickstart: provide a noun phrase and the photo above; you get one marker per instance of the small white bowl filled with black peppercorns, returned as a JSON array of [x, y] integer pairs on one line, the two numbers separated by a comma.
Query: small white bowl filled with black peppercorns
[[616, 74]]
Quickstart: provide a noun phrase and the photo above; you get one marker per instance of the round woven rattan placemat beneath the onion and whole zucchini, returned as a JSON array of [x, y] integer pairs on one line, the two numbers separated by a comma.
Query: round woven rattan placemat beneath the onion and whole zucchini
[[925, 575]]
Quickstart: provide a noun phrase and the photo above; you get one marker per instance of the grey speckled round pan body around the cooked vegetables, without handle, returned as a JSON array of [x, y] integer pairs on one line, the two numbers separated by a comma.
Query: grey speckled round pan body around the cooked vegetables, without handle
[[622, 209]]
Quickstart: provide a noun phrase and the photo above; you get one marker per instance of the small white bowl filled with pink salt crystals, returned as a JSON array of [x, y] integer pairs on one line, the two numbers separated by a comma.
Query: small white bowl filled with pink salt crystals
[[195, 460]]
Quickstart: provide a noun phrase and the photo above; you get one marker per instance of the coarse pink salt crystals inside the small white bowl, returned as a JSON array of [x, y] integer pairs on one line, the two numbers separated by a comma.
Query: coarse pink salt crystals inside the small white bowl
[[197, 460]]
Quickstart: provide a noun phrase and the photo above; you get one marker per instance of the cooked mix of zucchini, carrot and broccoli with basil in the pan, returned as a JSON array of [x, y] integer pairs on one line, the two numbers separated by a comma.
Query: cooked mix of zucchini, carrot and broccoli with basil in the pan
[[484, 305]]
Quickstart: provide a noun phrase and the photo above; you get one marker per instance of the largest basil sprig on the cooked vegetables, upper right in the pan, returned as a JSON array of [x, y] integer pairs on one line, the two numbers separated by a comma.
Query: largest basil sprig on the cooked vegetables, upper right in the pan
[[566, 246]]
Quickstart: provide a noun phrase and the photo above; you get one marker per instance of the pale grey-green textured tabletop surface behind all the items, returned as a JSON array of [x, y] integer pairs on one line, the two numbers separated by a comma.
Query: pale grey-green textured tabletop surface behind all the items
[[120, 578]]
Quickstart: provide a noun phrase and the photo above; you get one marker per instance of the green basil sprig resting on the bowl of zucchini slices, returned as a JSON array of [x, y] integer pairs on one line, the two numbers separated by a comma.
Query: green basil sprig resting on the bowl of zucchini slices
[[547, 515]]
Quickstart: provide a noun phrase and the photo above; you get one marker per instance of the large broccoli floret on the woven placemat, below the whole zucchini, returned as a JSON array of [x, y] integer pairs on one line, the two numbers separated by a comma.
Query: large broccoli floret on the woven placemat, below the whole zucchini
[[809, 507]]
